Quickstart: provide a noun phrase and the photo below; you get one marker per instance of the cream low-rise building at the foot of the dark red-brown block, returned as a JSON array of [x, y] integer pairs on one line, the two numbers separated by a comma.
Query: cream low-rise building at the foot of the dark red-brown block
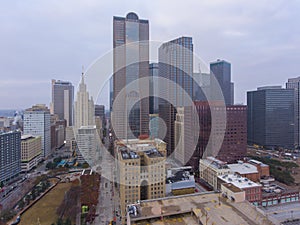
[[210, 168]]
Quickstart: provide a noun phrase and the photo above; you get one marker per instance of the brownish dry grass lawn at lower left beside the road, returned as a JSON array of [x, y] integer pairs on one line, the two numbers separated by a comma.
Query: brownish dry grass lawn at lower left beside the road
[[45, 209]]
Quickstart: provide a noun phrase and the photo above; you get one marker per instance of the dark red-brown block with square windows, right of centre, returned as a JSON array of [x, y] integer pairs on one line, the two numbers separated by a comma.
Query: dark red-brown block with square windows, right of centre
[[228, 143]]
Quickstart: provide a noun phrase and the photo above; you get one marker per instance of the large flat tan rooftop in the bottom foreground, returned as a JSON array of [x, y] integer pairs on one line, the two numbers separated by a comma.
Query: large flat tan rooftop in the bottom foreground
[[201, 206]]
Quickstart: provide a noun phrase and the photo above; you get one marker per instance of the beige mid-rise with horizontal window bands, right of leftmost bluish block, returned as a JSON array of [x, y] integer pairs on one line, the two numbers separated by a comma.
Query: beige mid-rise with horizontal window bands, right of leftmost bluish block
[[31, 152]]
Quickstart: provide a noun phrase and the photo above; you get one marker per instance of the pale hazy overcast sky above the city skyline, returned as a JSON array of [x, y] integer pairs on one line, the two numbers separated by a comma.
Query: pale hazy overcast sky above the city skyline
[[41, 40]]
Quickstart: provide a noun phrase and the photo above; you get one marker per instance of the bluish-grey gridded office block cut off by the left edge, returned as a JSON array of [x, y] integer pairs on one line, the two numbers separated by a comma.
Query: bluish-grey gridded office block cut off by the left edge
[[10, 155]]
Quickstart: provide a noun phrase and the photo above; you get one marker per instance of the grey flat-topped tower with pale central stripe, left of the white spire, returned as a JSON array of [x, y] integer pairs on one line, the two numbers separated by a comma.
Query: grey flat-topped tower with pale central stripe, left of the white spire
[[62, 100]]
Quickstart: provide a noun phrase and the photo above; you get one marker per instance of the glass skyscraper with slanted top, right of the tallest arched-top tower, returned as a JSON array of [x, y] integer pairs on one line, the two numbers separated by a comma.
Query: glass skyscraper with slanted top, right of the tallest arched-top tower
[[176, 65]]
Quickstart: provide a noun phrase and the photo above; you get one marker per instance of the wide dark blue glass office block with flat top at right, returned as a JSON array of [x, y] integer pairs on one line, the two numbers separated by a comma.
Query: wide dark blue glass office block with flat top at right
[[270, 116]]
